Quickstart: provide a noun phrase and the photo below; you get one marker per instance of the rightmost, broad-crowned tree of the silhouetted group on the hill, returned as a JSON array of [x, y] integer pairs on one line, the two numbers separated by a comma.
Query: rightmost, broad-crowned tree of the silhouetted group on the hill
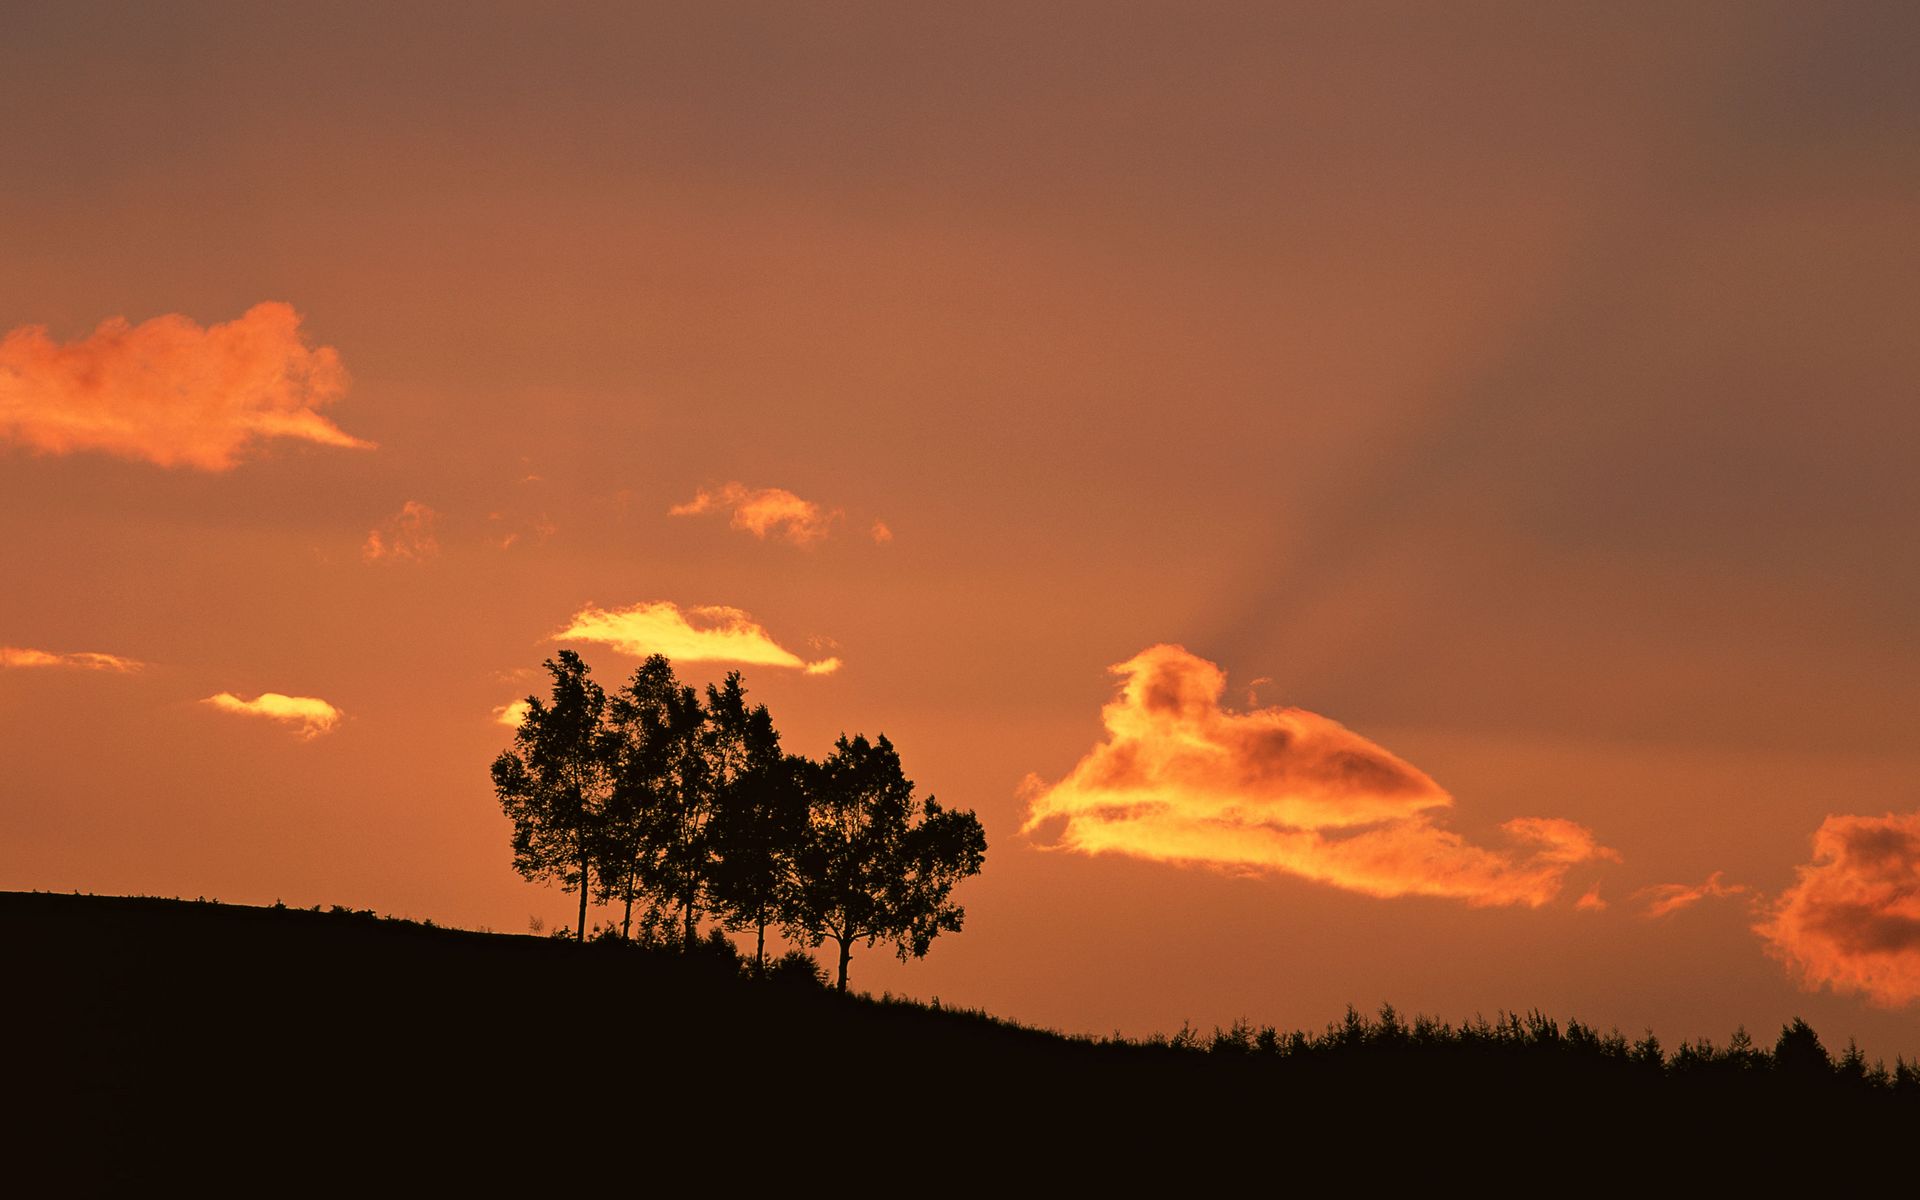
[[876, 863]]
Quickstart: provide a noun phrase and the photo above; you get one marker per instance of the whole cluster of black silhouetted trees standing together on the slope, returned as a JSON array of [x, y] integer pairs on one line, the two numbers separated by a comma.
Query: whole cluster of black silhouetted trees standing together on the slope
[[688, 807]]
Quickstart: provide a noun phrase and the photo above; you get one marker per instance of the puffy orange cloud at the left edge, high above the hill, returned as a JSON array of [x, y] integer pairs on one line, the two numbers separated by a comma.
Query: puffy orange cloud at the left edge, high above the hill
[[168, 391]]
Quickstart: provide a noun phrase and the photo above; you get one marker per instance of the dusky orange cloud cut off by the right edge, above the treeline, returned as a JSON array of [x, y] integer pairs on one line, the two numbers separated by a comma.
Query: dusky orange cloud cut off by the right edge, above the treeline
[[1852, 919]]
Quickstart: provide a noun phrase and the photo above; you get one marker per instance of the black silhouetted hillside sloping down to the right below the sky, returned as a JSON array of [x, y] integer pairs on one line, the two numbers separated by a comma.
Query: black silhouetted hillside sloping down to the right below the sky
[[268, 1051]]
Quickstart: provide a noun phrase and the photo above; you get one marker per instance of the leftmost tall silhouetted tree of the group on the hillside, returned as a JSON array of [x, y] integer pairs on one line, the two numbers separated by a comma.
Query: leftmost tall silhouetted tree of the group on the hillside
[[556, 782]]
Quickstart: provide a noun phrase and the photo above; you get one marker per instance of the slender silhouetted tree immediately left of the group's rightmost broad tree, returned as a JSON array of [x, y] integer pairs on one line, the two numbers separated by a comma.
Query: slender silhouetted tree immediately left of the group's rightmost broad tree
[[759, 819]]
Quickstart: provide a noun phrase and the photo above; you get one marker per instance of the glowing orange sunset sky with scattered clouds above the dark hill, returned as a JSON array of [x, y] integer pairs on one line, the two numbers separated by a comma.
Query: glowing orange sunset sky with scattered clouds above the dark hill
[[1368, 504]]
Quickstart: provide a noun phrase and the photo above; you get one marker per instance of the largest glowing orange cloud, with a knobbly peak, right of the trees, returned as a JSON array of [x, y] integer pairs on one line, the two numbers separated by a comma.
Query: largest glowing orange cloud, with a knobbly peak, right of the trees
[[1186, 780]]
